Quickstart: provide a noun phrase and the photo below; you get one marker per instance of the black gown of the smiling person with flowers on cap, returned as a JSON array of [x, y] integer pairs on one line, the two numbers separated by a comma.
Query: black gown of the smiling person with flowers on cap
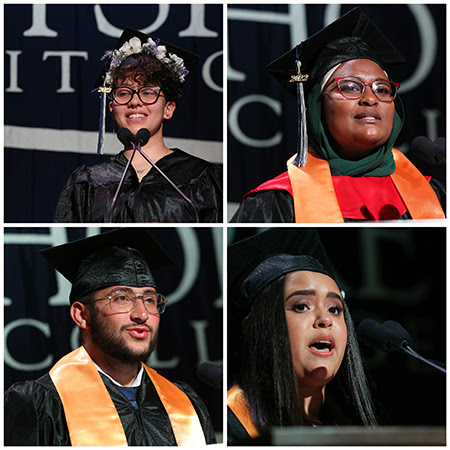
[[89, 192]]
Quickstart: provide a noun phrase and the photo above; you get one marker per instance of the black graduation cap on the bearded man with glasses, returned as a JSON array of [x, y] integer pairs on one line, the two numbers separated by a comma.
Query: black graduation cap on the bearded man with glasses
[[122, 257]]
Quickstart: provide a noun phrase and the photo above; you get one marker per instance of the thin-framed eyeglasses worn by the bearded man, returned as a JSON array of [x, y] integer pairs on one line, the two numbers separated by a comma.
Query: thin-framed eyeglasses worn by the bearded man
[[122, 301]]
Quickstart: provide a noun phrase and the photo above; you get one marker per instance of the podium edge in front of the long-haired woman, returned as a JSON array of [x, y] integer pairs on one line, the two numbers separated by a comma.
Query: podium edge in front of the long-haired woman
[[351, 435]]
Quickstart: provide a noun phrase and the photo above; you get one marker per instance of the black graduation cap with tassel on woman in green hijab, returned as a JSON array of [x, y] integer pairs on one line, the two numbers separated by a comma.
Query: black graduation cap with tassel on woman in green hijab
[[352, 36]]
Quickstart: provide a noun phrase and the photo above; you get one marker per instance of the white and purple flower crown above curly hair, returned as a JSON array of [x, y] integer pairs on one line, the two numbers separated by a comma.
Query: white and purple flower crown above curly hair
[[151, 47]]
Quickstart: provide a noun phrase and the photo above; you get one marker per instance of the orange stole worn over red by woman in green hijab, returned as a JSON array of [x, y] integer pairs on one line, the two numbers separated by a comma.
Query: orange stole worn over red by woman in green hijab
[[315, 200]]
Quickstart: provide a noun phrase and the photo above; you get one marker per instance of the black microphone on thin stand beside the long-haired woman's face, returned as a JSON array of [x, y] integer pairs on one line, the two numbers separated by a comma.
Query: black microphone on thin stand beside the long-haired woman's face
[[391, 336]]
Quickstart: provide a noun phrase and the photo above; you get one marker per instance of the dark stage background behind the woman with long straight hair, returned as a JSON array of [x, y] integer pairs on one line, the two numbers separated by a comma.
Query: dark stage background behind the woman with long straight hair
[[392, 274]]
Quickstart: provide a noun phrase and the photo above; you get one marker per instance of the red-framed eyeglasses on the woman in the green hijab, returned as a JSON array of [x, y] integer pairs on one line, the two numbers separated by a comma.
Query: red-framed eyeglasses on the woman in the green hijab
[[353, 88]]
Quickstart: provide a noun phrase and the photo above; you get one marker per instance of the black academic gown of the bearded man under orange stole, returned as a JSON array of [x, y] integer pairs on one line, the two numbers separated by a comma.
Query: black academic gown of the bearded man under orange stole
[[34, 415]]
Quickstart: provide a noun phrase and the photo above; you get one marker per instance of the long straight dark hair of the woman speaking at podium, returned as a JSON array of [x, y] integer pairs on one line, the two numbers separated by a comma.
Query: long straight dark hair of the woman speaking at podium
[[267, 376]]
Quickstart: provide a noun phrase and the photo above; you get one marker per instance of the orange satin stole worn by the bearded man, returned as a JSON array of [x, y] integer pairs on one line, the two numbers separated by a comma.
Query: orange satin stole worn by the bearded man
[[90, 413]]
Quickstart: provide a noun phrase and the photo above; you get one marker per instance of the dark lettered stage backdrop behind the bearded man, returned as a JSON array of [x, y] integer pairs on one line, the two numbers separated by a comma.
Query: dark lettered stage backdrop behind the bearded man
[[39, 330]]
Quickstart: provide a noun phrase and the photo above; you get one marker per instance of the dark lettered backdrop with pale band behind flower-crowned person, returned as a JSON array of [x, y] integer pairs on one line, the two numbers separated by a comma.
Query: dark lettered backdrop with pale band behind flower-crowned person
[[52, 61]]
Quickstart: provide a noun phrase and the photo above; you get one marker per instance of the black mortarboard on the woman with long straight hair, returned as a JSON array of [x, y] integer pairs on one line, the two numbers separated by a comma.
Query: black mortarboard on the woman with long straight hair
[[255, 262]]
